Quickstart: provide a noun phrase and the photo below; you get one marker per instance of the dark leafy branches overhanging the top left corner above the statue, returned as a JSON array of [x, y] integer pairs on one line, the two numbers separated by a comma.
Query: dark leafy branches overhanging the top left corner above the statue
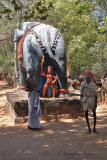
[[38, 10]]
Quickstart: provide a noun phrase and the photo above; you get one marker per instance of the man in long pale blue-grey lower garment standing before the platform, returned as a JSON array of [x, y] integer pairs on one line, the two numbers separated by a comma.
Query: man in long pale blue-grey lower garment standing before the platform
[[34, 110]]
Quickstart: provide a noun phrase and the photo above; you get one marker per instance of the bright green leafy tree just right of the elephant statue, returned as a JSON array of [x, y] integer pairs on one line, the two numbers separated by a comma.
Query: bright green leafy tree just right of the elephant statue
[[75, 20]]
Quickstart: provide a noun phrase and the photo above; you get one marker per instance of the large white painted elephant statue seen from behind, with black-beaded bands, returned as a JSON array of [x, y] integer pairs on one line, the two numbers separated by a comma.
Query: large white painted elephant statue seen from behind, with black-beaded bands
[[35, 40]]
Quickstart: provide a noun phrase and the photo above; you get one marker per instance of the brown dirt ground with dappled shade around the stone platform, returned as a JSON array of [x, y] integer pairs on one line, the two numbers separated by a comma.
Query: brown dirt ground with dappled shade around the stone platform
[[65, 139]]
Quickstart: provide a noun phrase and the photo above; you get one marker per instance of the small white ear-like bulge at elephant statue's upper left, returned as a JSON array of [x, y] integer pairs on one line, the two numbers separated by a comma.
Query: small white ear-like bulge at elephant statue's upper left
[[17, 35]]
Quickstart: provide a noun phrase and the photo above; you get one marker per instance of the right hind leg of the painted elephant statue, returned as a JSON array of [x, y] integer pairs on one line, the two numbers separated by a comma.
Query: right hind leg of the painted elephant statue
[[59, 61]]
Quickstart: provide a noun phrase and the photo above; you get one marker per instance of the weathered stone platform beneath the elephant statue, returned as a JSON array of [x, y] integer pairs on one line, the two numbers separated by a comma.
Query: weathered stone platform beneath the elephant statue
[[51, 107]]
